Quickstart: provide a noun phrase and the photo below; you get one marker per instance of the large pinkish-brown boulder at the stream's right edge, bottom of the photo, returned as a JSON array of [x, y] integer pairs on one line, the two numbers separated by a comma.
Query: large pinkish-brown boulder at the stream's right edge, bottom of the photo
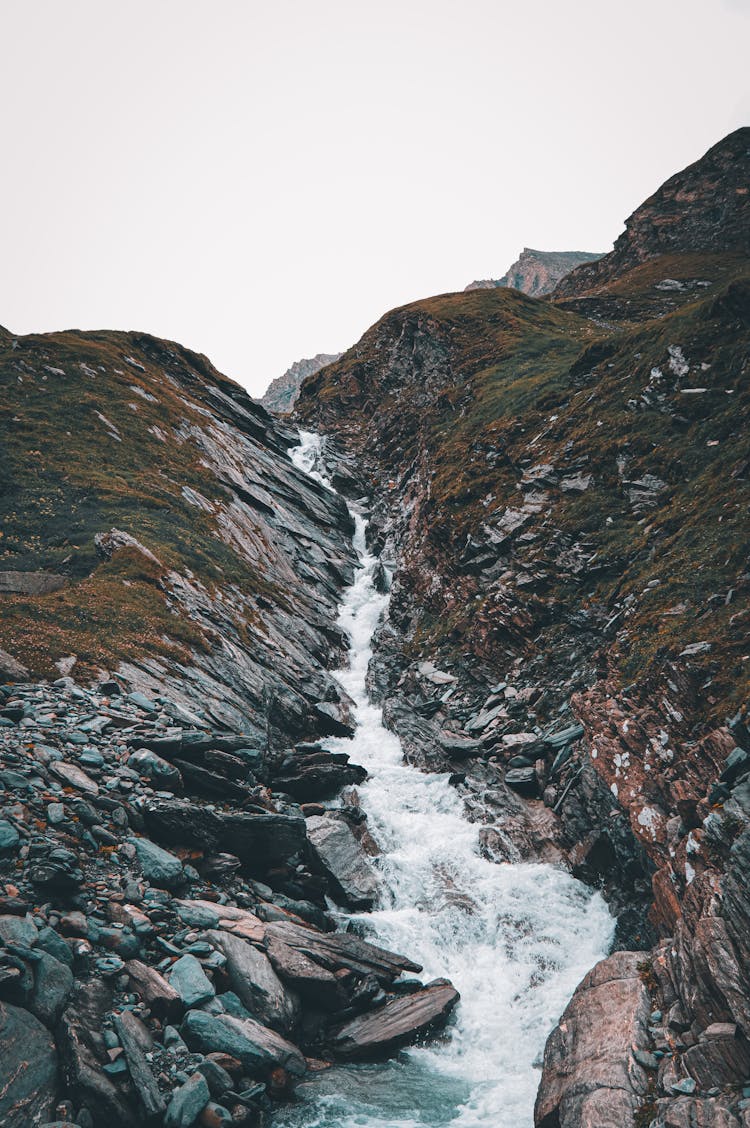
[[590, 1077]]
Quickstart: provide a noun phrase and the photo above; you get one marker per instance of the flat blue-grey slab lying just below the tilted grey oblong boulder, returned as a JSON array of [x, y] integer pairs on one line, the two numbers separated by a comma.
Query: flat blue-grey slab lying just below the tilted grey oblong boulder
[[259, 1048]]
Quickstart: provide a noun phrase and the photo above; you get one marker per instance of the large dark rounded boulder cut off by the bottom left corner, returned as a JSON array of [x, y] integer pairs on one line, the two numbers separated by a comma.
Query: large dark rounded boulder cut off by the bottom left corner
[[29, 1082]]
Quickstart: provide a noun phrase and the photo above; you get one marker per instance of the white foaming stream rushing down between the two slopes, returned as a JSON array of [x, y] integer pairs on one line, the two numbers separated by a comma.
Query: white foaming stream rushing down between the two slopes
[[515, 939]]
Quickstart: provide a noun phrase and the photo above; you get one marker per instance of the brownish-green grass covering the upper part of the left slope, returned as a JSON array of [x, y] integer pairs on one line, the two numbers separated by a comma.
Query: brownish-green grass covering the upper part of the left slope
[[64, 479]]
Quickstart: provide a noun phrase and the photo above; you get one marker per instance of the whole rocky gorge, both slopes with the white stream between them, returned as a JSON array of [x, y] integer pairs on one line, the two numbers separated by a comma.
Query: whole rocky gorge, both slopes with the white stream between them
[[445, 676]]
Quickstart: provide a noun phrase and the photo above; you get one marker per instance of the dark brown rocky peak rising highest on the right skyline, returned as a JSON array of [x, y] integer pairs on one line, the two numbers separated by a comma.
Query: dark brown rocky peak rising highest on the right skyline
[[704, 209]]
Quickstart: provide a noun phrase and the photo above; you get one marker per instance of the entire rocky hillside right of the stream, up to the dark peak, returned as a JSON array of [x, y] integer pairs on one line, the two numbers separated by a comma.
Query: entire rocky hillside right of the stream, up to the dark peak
[[562, 489]]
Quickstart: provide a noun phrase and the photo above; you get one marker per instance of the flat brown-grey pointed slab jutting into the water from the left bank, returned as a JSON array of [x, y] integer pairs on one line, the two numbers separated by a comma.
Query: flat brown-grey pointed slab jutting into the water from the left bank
[[401, 1023]]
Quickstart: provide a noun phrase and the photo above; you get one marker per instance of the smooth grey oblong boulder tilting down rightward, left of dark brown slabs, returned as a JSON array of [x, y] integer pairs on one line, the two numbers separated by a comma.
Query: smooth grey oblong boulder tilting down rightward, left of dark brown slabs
[[254, 981]]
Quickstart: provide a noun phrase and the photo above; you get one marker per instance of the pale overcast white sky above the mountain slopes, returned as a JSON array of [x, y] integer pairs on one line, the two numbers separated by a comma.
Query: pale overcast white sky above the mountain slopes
[[263, 181]]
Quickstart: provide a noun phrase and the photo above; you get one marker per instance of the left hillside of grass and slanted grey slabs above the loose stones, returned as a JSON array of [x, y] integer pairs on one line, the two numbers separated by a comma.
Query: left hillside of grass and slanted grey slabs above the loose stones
[[166, 535]]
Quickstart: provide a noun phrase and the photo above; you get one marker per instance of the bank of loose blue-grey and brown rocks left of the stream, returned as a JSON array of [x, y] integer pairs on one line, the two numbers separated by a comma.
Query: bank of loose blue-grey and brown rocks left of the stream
[[166, 954]]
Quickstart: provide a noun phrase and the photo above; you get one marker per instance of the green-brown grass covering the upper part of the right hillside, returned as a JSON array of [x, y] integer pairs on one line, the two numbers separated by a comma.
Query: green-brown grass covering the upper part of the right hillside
[[535, 384]]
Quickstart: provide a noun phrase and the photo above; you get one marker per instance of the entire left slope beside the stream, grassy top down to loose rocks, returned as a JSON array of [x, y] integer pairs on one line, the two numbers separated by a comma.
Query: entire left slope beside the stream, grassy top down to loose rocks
[[165, 859]]
